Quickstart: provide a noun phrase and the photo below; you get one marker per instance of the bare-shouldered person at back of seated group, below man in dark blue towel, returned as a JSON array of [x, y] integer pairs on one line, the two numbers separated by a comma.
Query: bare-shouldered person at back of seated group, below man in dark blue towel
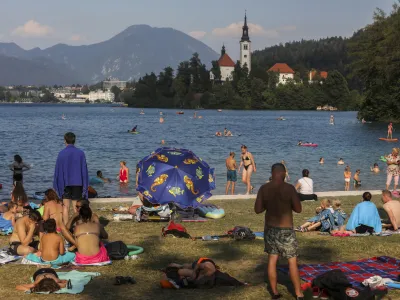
[[53, 209]]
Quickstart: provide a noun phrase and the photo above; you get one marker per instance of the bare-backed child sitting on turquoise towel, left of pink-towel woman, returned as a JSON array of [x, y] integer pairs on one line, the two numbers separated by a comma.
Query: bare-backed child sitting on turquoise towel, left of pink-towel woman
[[51, 250]]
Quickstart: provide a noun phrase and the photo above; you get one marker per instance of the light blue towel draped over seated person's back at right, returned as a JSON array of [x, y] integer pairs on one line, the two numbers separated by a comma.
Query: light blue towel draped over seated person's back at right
[[365, 213]]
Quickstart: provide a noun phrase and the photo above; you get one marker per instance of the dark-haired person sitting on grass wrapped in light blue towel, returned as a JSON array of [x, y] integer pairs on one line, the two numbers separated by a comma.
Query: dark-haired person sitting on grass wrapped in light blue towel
[[364, 218]]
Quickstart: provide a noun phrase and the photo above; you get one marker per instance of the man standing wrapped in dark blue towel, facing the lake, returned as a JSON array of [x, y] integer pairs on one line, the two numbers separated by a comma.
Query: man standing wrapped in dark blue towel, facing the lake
[[71, 175]]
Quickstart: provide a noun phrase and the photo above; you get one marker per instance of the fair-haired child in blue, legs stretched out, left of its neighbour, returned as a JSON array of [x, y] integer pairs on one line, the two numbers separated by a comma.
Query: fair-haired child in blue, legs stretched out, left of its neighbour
[[322, 220]]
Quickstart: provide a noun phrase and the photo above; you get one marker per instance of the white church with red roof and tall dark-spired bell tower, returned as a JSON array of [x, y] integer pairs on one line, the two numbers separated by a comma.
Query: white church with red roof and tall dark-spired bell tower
[[226, 64]]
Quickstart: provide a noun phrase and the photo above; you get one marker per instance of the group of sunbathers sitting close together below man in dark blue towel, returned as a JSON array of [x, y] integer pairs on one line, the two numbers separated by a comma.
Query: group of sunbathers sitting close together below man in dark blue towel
[[82, 233]]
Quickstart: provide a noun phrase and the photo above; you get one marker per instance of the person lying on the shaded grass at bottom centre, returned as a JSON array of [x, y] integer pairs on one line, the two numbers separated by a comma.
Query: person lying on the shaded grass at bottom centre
[[201, 273]]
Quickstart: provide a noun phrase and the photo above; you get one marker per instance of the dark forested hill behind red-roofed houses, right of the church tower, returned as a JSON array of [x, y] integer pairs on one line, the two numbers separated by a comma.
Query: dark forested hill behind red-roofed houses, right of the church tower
[[326, 54]]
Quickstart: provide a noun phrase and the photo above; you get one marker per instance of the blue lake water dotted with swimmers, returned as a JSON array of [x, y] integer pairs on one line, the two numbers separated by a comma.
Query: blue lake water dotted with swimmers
[[36, 133]]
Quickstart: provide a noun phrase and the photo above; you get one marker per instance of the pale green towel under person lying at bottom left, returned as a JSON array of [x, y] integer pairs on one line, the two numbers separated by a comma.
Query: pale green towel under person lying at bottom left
[[78, 281]]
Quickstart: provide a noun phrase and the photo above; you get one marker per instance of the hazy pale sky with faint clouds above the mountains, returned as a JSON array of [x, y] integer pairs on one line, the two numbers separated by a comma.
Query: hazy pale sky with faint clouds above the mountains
[[43, 23]]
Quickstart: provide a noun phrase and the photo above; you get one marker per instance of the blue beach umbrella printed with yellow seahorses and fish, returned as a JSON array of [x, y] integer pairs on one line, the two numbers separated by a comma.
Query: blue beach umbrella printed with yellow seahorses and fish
[[175, 175]]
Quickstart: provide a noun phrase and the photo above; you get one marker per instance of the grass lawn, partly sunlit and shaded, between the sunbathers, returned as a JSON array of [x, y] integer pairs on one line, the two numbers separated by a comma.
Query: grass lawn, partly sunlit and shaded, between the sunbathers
[[243, 260]]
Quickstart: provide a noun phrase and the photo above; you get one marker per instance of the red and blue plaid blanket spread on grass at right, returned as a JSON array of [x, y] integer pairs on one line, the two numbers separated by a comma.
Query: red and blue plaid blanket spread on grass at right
[[355, 271]]
